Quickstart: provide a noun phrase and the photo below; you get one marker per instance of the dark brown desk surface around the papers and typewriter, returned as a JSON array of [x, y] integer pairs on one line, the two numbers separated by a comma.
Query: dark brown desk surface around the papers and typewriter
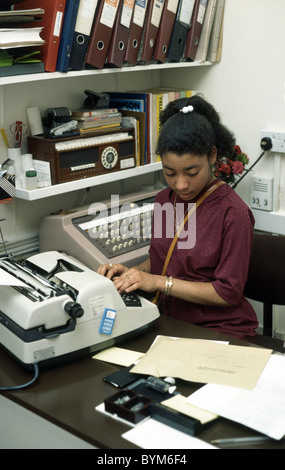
[[67, 395]]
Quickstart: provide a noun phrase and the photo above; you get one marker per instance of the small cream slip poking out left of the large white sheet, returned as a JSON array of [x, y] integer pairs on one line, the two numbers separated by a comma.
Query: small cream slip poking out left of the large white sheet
[[179, 403]]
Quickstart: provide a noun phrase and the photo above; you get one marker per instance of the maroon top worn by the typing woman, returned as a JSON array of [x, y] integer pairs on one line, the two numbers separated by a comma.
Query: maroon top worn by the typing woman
[[220, 255]]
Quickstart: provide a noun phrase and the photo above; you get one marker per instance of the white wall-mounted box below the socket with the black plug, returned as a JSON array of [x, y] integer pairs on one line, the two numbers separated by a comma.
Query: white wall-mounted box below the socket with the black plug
[[261, 196]]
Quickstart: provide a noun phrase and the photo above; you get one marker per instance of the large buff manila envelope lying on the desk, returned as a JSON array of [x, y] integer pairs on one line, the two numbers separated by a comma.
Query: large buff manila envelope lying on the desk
[[204, 362]]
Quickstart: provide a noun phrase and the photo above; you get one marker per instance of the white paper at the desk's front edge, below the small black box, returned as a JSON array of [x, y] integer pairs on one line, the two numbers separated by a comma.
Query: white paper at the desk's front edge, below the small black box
[[154, 435]]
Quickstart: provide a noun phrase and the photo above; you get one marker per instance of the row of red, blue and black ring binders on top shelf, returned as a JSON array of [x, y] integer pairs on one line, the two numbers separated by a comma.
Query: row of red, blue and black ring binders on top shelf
[[82, 34]]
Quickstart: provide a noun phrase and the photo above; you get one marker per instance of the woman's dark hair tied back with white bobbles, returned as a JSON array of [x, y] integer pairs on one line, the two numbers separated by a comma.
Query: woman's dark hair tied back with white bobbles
[[195, 132]]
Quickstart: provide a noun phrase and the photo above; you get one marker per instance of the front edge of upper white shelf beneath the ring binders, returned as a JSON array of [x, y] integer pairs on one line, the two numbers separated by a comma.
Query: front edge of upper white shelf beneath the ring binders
[[82, 73]]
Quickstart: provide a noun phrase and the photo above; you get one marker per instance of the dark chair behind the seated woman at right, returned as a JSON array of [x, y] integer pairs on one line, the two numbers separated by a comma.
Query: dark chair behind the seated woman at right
[[266, 276]]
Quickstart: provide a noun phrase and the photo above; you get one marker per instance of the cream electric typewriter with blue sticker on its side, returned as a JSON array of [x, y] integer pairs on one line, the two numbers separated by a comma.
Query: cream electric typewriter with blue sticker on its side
[[54, 309]]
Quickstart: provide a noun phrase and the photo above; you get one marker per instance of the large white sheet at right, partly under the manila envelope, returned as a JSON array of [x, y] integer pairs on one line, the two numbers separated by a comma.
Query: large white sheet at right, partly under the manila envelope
[[262, 409]]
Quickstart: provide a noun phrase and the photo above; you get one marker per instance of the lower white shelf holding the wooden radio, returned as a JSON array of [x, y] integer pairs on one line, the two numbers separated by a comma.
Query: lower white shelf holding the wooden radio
[[63, 188]]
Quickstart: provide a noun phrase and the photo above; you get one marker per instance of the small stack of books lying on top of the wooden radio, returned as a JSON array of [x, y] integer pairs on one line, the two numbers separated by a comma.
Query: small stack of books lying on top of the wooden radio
[[97, 119]]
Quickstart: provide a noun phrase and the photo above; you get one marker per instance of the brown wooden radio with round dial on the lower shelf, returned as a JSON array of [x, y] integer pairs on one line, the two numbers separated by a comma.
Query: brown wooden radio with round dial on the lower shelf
[[77, 157]]
